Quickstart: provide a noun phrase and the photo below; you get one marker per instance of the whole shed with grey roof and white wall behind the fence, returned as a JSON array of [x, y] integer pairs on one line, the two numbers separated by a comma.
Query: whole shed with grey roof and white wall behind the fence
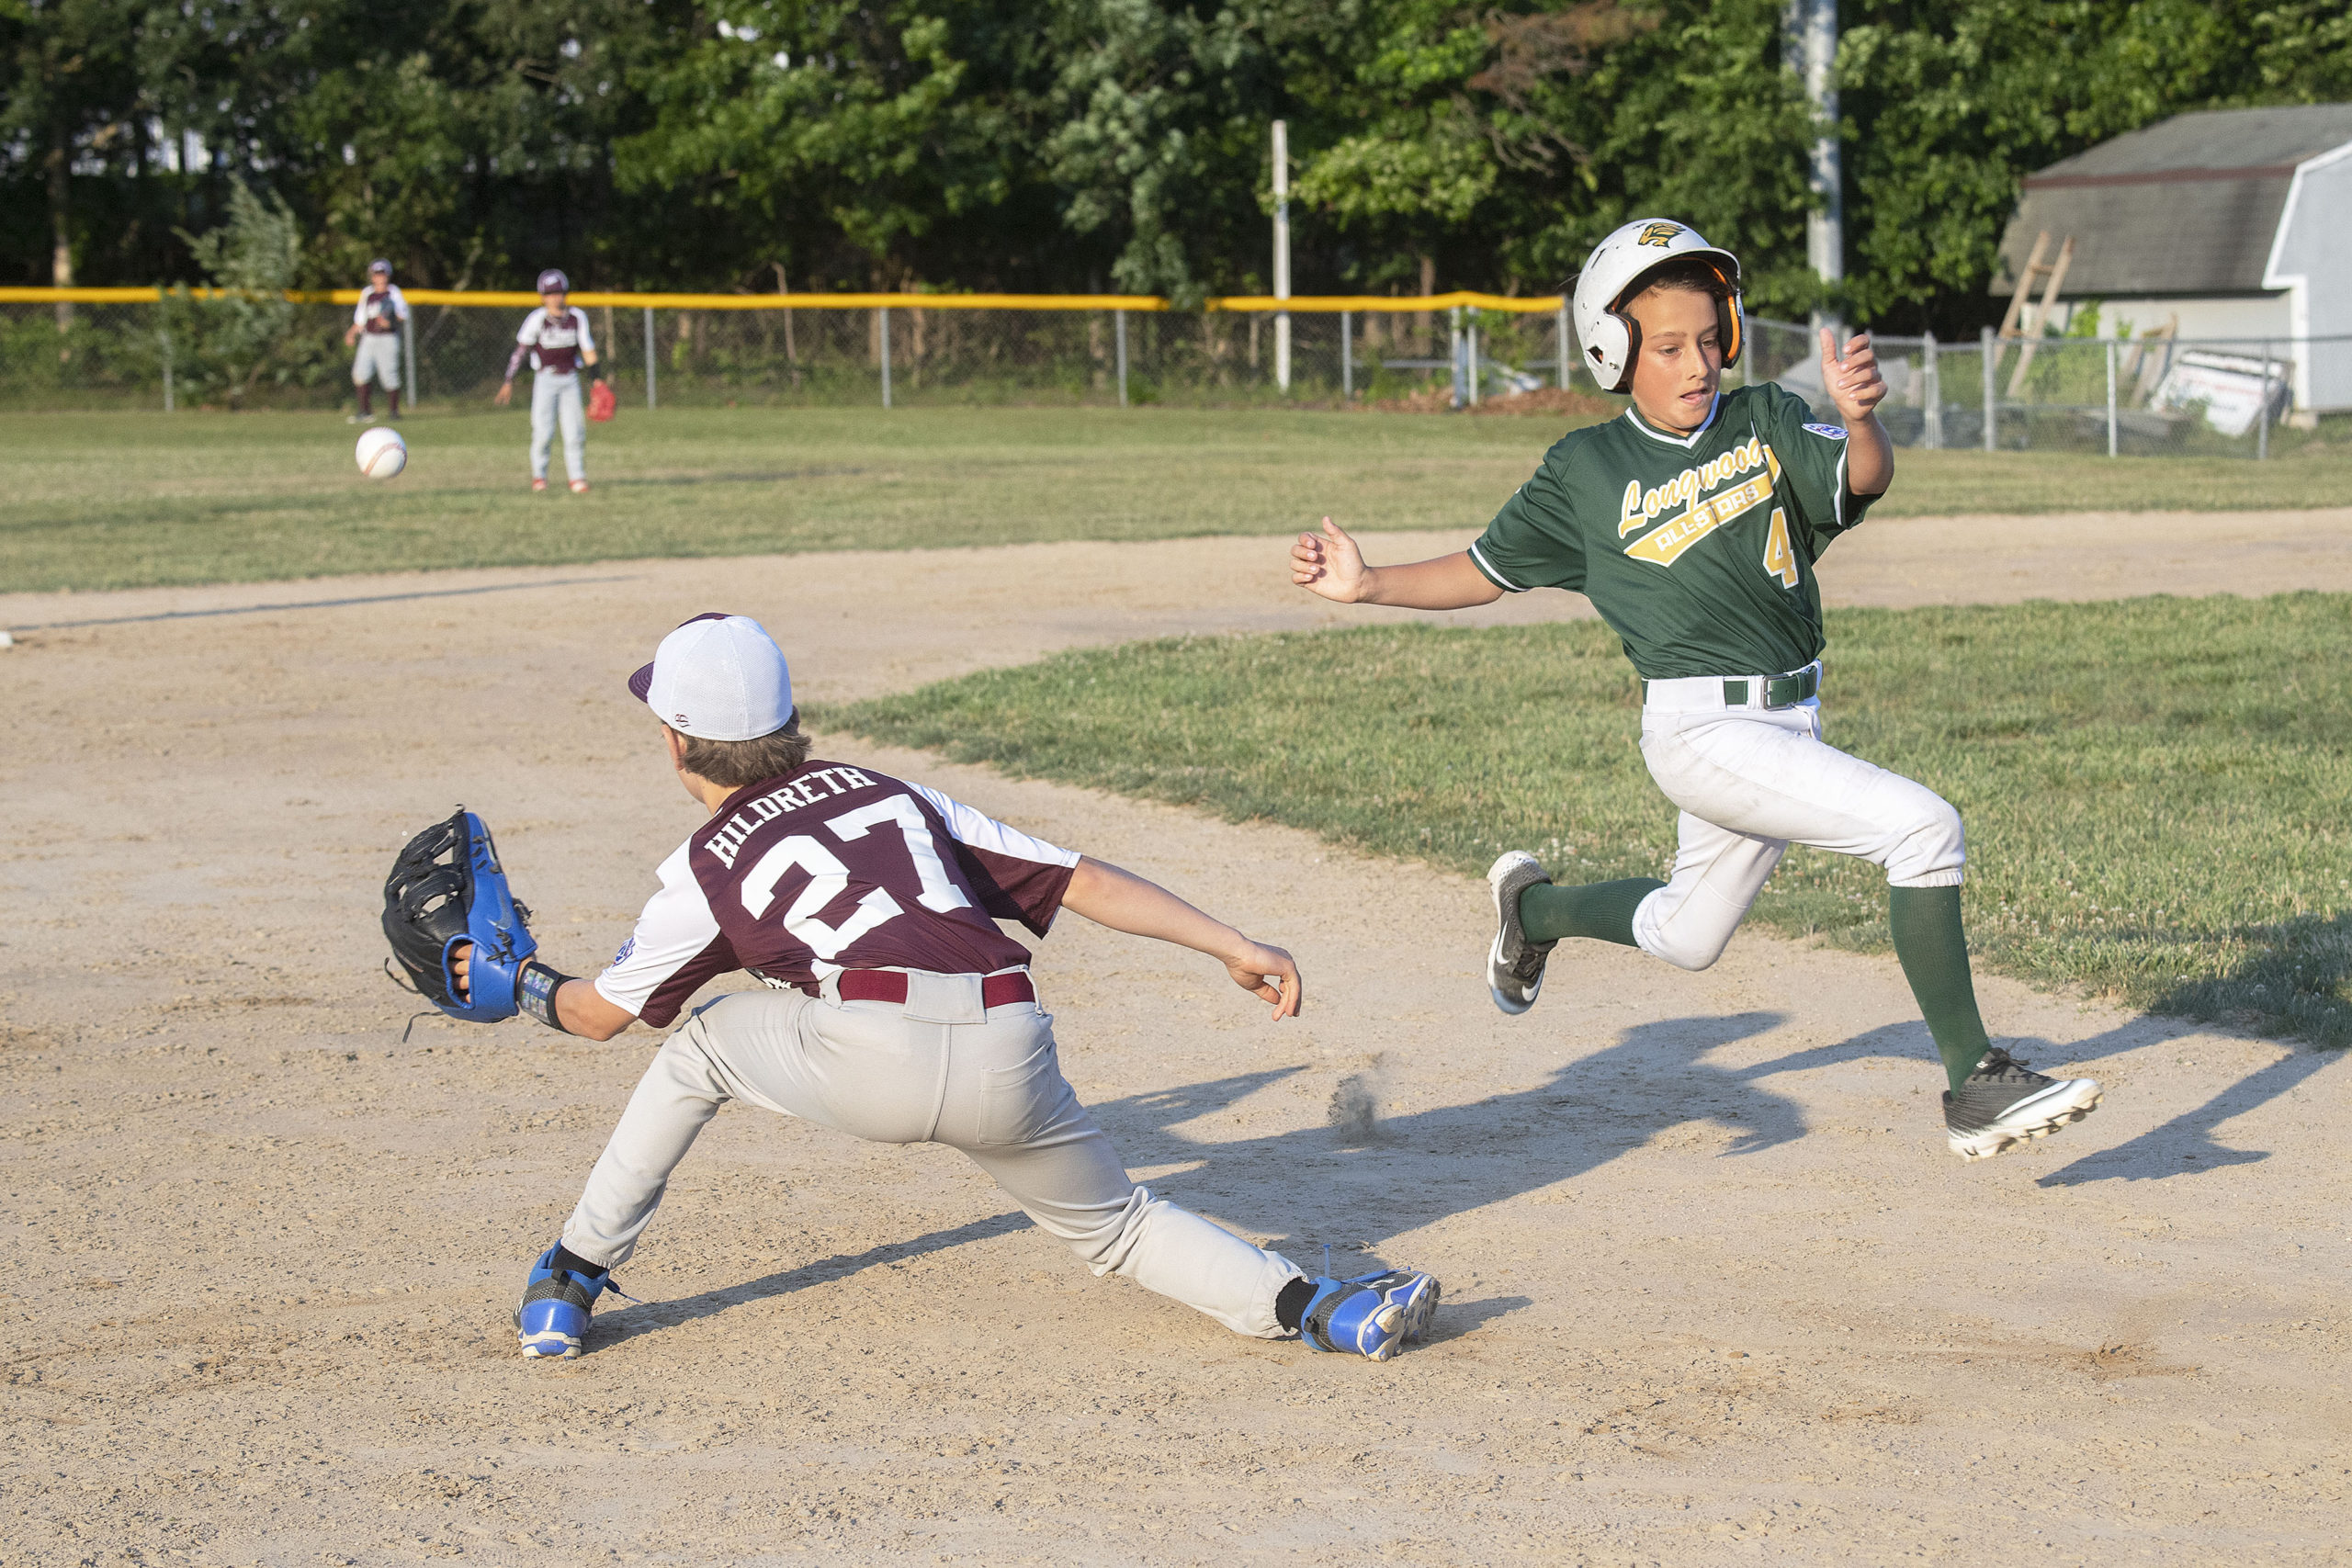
[[2224, 225]]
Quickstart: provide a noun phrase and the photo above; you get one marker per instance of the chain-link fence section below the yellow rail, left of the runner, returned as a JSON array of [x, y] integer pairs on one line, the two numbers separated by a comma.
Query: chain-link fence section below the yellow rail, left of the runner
[[211, 354]]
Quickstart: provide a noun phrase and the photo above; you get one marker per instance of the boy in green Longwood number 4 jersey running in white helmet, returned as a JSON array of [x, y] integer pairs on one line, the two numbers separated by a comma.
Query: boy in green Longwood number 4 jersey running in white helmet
[[1695, 523]]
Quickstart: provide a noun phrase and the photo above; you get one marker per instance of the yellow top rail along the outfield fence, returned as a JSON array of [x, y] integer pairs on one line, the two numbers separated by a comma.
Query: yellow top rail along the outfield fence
[[514, 300]]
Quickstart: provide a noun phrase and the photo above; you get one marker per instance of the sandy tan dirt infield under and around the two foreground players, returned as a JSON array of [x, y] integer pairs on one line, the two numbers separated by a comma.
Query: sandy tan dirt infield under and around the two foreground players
[[1713, 1287]]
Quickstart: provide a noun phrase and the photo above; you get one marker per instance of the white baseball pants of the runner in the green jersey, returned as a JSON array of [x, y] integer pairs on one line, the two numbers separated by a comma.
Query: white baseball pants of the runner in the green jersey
[[1751, 782]]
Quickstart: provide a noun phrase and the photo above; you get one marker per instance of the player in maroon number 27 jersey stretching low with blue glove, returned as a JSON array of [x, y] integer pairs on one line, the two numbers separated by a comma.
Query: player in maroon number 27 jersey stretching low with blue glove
[[897, 1012]]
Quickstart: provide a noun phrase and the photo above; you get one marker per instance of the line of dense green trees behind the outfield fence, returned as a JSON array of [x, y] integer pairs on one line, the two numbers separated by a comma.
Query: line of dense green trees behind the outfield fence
[[1083, 145]]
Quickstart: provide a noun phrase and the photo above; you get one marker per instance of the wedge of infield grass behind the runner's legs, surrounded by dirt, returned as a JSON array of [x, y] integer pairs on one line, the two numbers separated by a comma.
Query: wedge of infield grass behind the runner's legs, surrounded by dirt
[[2158, 791]]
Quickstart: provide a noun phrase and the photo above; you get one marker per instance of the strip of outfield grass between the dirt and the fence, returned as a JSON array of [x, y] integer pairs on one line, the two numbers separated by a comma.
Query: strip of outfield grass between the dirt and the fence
[[135, 500]]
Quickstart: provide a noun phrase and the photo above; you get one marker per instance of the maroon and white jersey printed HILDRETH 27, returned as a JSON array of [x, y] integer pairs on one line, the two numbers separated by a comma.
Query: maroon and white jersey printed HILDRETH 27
[[836, 869]]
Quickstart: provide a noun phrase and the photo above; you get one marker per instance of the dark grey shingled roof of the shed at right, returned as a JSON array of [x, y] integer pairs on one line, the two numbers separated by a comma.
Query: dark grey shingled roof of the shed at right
[[2186, 206]]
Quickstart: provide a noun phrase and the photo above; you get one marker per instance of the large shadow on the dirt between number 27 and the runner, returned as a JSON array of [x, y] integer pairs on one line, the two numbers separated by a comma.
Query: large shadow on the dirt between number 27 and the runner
[[1424, 1167]]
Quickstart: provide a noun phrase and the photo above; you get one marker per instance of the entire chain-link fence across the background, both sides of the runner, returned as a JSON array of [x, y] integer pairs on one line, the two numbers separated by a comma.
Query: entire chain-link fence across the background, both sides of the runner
[[178, 351]]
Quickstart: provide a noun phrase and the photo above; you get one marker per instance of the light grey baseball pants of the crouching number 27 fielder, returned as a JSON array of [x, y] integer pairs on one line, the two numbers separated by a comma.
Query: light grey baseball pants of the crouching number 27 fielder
[[987, 1085]]
